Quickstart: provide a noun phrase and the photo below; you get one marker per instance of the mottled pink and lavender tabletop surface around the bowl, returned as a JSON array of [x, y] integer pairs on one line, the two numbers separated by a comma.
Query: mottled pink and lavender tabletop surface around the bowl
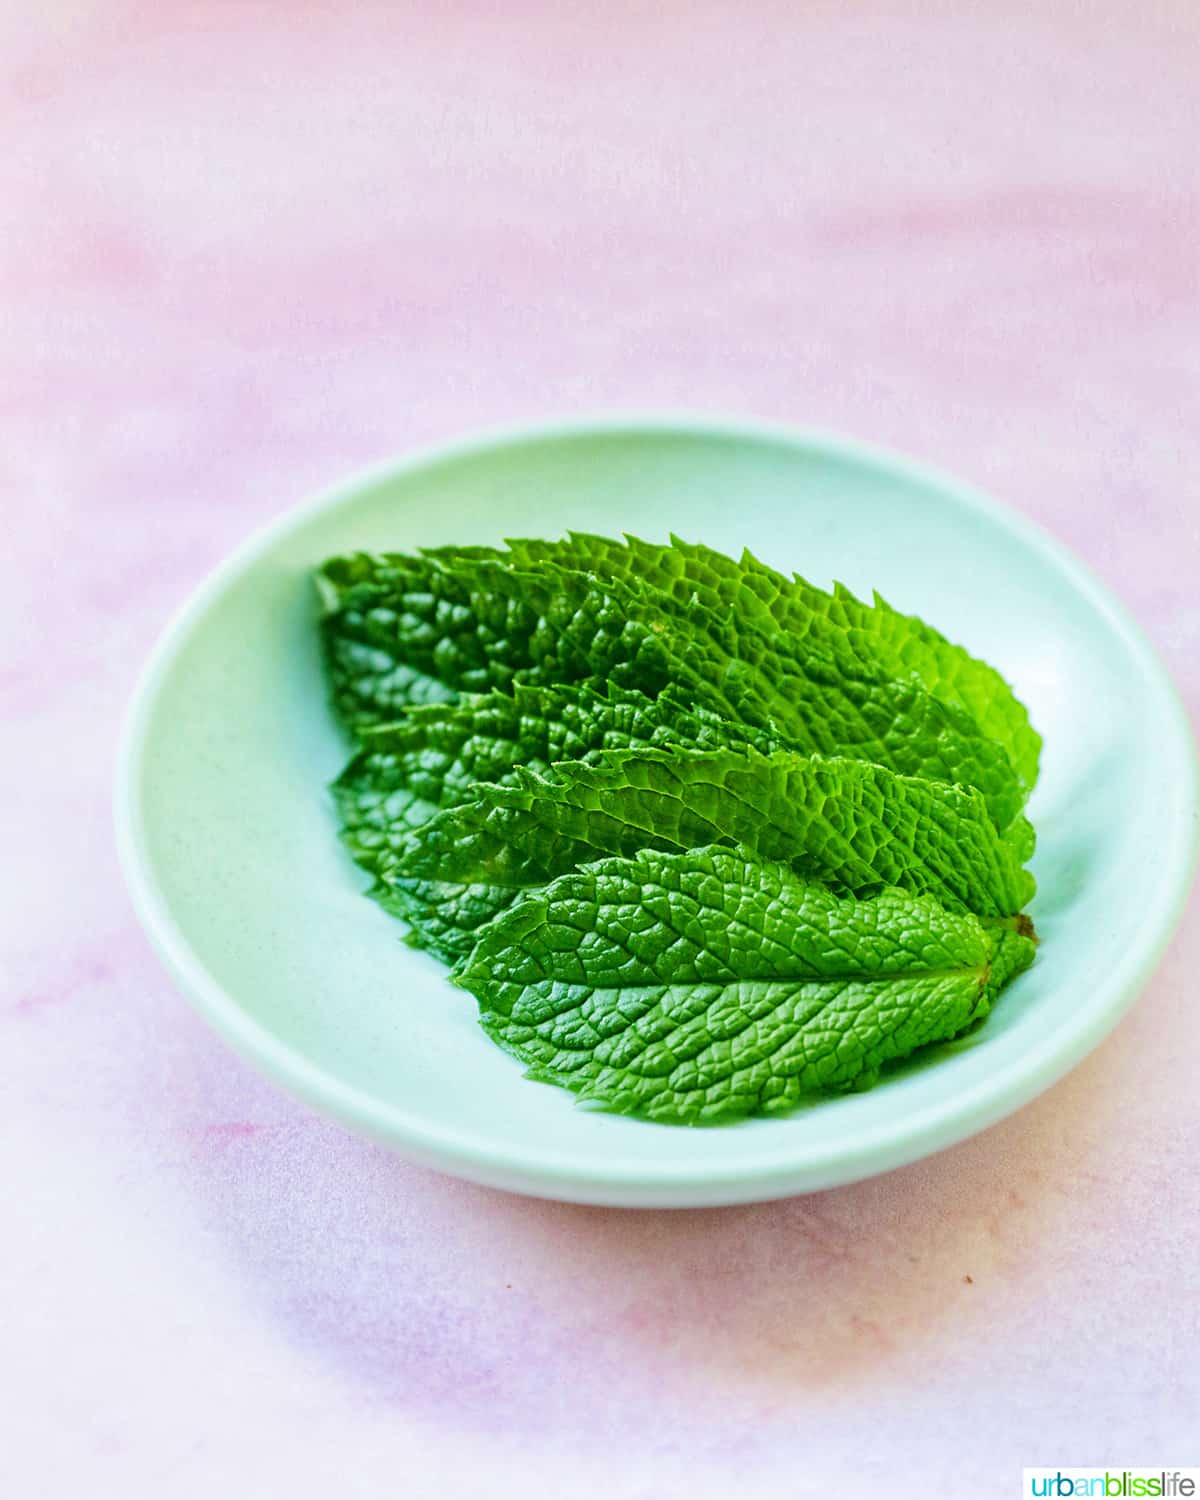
[[245, 248]]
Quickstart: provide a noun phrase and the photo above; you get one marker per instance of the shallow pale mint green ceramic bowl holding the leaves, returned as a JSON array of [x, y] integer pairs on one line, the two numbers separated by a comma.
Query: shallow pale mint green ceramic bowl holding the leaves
[[232, 854]]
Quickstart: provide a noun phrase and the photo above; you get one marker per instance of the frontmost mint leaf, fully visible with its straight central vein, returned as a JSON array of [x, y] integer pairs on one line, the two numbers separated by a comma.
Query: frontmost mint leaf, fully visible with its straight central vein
[[709, 986]]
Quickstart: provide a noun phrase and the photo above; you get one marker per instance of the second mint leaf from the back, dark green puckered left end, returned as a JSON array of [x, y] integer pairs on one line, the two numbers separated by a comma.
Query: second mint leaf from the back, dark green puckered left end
[[401, 629]]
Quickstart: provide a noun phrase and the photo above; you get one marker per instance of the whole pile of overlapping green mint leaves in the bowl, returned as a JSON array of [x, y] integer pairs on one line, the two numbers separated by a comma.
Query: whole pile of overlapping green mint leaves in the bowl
[[701, 839]]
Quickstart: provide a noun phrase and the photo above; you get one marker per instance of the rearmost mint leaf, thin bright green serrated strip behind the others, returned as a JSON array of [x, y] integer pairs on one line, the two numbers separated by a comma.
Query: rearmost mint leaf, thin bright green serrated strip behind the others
[[838, 626]]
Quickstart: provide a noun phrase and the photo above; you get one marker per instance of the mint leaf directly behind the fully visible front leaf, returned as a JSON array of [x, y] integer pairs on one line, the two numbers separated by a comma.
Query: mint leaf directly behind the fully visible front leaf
[[851, 826]]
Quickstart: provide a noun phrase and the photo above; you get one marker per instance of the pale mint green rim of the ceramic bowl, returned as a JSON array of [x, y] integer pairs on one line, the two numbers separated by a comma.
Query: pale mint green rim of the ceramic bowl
[[545, 1172]]
